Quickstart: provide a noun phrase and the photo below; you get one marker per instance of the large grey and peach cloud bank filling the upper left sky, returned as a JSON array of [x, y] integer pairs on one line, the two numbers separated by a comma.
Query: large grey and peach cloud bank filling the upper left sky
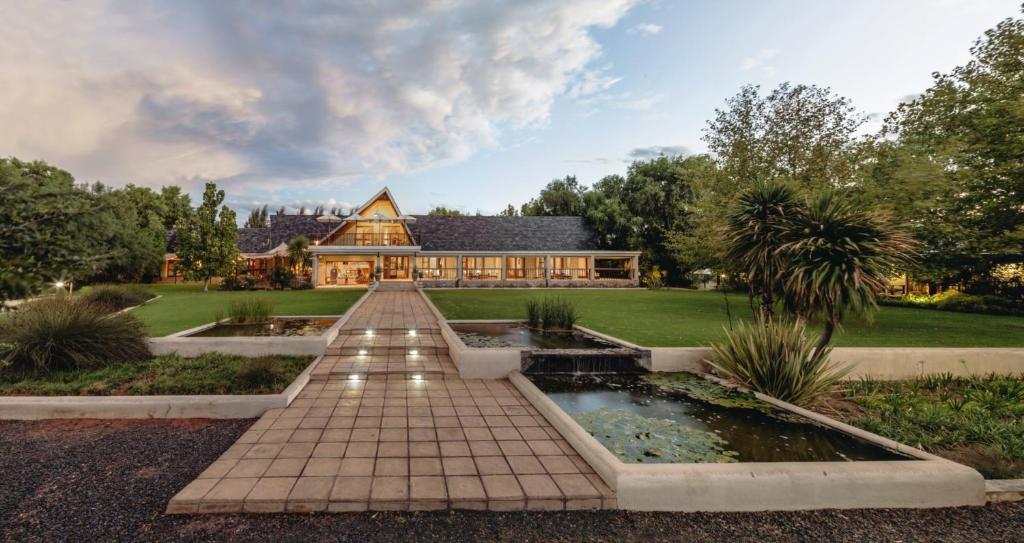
[[268, 94]]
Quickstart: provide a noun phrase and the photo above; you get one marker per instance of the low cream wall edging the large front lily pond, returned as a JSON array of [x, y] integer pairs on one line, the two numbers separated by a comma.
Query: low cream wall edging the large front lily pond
[[929, 482]]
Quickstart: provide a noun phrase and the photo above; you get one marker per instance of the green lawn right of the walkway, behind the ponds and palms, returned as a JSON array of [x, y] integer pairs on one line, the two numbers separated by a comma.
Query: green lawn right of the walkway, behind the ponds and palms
[[681, 318]]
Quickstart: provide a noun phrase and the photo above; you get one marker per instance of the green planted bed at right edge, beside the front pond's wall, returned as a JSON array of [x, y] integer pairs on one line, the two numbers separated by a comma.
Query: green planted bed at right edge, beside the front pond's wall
[[977, 422]]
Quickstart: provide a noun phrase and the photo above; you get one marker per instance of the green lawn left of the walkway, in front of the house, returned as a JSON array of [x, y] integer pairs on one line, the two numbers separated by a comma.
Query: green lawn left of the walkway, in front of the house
[[185, 307]]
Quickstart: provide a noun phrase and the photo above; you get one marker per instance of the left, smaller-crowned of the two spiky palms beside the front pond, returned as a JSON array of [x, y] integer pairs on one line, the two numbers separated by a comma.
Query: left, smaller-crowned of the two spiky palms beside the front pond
[[754, 234]]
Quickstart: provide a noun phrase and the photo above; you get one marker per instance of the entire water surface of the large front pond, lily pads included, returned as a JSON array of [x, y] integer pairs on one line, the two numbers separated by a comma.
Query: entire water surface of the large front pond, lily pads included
[[684, 419]]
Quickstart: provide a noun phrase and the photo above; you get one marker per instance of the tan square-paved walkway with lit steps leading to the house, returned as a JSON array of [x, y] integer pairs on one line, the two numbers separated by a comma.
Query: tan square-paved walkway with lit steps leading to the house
[[388, 430]]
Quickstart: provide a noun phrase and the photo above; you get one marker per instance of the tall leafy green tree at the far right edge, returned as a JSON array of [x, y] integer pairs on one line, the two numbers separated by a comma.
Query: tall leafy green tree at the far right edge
[[963, 137]]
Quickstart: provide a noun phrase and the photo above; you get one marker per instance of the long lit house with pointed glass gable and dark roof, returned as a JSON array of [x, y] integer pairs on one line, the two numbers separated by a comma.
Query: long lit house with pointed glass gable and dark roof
[[466, 252]]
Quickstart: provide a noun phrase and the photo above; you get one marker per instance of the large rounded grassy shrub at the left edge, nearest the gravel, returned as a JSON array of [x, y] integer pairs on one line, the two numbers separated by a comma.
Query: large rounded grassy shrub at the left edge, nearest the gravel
[[64, 335]]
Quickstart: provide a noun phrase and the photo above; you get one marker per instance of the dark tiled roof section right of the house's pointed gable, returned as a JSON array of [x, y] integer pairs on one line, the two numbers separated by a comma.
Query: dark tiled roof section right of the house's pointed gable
[[504, 234]]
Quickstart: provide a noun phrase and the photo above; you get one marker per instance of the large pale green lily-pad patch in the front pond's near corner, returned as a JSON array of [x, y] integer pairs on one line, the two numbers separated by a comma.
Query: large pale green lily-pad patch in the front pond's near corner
[[635, 439]]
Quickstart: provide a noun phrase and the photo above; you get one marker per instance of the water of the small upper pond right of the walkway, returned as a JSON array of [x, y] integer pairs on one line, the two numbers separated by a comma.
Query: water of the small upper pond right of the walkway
[[520, 336]]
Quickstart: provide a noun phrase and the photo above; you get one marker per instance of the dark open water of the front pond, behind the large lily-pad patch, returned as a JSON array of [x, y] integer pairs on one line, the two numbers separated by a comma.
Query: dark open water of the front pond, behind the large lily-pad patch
[[755, 435]]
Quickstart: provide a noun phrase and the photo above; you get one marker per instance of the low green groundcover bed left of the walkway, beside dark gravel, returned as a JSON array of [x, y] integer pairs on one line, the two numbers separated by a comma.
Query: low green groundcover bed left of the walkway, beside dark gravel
[[170, 374]]
